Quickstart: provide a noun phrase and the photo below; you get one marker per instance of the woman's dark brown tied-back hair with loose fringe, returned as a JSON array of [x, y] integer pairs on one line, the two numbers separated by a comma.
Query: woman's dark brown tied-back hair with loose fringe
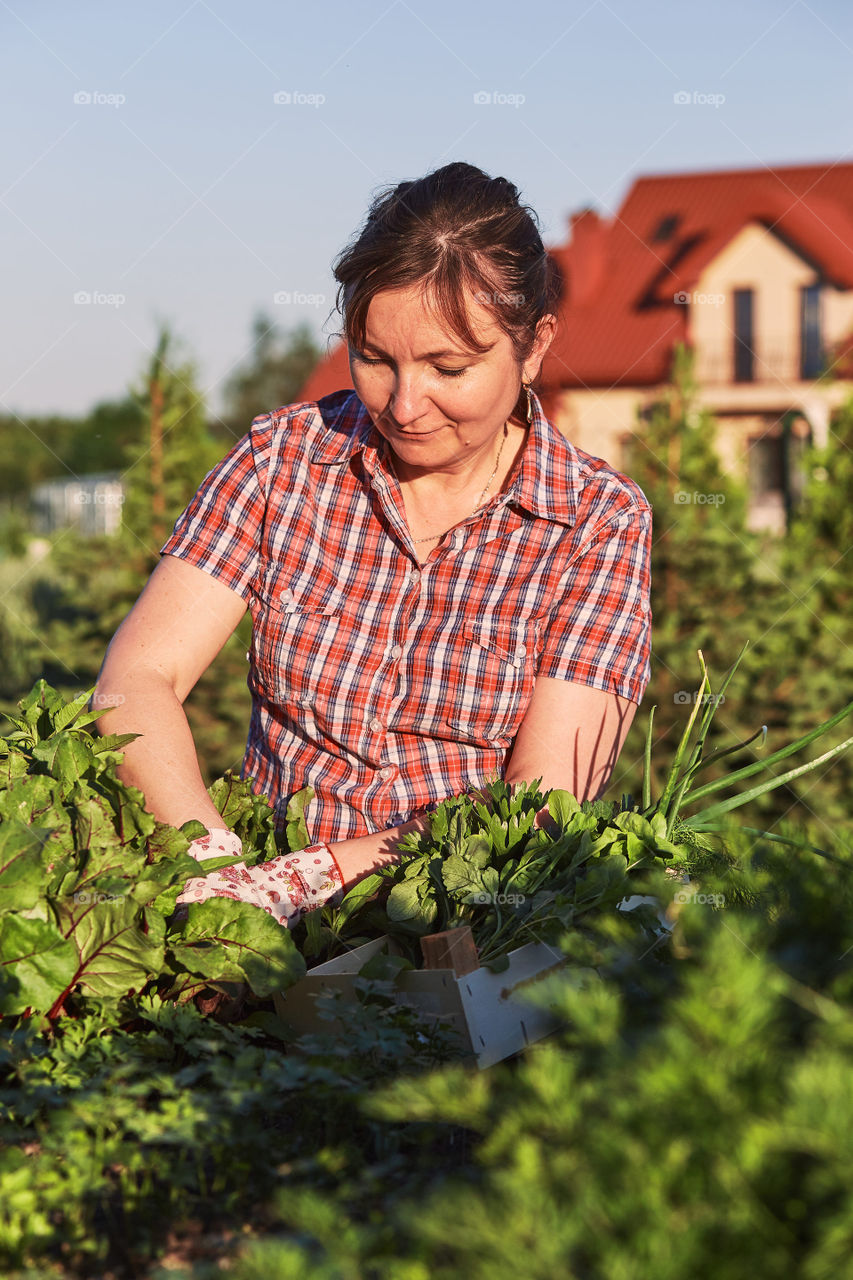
[[451, 231]]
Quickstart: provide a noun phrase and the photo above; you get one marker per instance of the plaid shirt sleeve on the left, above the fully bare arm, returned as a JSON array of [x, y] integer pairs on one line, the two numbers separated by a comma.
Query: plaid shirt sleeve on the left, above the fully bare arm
[[221, 529]]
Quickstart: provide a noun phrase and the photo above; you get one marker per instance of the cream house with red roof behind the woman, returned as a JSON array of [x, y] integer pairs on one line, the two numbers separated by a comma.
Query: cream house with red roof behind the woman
[[752, 269]]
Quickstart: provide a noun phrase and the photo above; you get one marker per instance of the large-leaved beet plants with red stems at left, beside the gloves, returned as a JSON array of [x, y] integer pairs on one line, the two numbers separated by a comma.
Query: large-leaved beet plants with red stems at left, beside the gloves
[[89, 879]]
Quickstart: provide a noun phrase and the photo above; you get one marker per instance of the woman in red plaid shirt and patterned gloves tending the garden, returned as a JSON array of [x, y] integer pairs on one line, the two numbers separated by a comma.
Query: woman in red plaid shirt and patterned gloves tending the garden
[[443, 588]]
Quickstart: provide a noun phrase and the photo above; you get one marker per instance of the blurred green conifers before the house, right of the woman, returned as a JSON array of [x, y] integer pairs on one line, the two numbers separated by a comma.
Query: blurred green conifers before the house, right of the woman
[[718, 586]]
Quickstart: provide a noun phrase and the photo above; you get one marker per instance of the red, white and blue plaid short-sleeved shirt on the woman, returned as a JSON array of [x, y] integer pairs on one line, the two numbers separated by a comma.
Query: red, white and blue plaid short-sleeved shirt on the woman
[[387, 685]]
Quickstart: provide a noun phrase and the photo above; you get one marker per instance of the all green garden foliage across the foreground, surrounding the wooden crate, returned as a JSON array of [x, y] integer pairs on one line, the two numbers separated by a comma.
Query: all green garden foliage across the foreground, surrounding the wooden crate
[[690, 1117]]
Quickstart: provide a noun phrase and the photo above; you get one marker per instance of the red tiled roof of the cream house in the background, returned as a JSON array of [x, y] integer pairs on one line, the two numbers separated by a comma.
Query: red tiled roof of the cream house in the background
[[619, 319]]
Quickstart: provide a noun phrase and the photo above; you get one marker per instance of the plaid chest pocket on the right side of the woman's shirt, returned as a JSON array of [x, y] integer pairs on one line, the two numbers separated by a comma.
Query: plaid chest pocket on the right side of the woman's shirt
[[496, 665]]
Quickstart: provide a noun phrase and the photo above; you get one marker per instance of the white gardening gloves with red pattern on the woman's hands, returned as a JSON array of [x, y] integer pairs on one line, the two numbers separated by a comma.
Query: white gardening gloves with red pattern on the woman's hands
[[285, 888]]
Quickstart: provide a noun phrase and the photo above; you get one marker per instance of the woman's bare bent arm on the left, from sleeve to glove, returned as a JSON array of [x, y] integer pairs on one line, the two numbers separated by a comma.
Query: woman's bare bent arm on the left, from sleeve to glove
[[176, 629]]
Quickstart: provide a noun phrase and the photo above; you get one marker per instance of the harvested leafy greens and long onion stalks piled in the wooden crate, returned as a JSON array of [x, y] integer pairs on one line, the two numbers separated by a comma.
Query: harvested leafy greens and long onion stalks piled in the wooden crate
[[486, 865]]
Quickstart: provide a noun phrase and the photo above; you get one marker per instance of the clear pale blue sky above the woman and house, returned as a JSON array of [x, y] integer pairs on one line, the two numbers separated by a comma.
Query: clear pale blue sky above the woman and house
[[198, 198]]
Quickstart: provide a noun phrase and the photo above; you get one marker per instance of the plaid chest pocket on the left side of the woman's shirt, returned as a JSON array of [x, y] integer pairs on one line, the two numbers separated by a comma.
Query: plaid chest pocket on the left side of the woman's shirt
[[299, 627]]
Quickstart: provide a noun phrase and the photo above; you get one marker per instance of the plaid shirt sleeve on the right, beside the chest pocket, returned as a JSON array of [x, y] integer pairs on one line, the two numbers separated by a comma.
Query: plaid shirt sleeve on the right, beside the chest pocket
[[600, 633]]
